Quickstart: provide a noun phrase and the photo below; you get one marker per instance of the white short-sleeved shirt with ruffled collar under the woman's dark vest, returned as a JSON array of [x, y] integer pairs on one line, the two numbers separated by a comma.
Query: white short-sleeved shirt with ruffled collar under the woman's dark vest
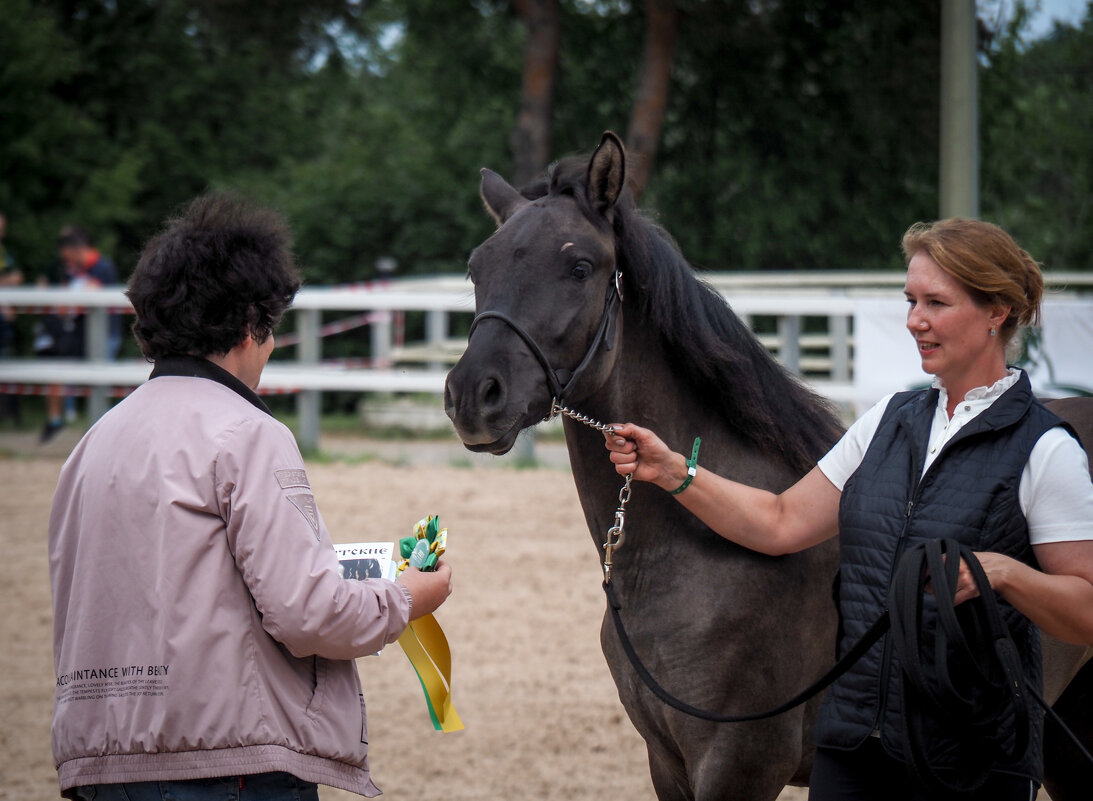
[[1056, 494]]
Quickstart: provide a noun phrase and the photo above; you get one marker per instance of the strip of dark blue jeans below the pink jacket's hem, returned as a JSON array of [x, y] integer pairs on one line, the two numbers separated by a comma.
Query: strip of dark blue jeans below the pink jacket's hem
[[260, 787]]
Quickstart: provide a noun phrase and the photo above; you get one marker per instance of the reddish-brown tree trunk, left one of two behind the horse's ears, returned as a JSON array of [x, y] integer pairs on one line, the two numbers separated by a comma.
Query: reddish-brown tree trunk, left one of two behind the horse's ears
[[531, 137]]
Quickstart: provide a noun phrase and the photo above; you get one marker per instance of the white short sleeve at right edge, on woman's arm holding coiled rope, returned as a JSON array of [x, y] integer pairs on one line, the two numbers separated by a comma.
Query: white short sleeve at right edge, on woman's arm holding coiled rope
[[1056, 492]]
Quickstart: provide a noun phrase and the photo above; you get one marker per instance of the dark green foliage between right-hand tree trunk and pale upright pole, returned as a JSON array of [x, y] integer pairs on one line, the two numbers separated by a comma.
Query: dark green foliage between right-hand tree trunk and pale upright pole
[[801, 135]]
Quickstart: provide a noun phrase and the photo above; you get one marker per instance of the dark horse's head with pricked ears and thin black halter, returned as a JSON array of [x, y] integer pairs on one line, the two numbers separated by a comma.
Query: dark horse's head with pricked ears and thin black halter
[[547, 293]]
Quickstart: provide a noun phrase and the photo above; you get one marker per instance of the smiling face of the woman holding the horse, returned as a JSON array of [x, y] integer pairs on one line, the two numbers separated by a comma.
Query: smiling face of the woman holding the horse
[[953, 331]]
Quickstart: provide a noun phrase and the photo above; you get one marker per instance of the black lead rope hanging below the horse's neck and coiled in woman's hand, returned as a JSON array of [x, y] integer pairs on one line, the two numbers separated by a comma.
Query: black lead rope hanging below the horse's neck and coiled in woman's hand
[[979, 675]]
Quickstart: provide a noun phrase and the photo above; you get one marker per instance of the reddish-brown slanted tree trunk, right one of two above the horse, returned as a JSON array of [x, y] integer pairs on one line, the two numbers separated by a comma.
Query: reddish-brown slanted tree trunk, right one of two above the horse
[[662, 27]]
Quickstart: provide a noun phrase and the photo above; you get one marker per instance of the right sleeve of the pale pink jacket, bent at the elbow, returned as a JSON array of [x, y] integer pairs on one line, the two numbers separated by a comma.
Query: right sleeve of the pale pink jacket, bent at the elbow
[[286, 557]]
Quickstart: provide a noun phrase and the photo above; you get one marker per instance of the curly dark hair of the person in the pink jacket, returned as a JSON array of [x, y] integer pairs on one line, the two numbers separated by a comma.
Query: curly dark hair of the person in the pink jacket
[[221, 270]]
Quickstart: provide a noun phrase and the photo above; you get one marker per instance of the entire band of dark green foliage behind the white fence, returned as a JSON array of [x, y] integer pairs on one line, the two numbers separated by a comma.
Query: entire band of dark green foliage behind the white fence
[[798, 135]]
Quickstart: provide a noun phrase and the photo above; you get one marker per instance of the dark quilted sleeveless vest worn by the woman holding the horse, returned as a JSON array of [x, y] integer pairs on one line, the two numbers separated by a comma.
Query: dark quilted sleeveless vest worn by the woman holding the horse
[[970, 494]]
